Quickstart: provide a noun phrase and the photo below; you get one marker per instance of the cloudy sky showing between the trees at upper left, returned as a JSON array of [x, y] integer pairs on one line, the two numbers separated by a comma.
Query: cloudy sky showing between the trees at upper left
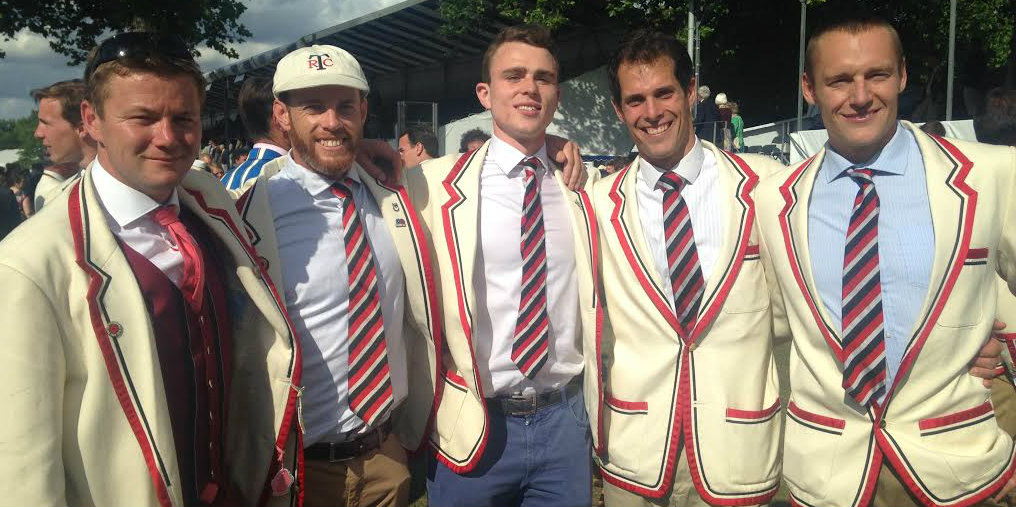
[[31, 64]]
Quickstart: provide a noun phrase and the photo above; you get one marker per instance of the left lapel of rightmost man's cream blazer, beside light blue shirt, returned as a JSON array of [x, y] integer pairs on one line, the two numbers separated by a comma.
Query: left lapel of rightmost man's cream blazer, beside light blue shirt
[[797, 192]]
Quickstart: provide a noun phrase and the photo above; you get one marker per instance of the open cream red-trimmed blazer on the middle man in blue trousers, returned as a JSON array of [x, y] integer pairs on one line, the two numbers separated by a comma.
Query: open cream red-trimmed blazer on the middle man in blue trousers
[[447, 192]]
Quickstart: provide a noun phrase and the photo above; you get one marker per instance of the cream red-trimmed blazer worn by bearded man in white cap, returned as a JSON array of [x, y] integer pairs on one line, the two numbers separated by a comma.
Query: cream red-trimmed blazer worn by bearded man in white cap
[[423, 332]]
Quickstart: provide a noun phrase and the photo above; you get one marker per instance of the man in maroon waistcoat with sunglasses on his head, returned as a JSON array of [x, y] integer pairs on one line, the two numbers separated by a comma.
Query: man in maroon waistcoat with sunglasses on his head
[[88, 362]]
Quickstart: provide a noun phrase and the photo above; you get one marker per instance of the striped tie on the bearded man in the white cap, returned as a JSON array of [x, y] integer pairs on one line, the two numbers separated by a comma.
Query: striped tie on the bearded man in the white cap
[[368, 378]]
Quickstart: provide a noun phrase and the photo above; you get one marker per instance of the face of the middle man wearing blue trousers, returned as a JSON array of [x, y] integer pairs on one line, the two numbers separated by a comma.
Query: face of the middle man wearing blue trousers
[[523, 95]]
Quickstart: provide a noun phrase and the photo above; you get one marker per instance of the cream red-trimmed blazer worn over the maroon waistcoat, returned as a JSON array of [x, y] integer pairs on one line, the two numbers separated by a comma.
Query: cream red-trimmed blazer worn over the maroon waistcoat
[[88, 421]]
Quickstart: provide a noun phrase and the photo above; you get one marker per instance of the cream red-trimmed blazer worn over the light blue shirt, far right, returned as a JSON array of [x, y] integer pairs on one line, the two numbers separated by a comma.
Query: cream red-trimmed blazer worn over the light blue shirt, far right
[[937, 429]]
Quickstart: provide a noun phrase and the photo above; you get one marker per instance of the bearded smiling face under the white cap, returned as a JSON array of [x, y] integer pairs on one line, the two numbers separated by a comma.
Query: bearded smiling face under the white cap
[[326, 125]]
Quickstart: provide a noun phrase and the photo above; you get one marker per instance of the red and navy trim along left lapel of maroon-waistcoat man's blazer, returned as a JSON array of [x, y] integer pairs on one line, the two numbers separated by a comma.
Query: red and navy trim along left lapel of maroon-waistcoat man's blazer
[[112, 366]]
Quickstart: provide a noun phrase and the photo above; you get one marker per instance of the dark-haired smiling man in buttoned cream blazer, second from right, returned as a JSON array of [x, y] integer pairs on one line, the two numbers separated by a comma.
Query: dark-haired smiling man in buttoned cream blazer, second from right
[[691, 410]]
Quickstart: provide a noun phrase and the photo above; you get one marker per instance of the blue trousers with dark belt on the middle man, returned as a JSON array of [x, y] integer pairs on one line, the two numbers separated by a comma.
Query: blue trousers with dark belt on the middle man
[[539, 461]]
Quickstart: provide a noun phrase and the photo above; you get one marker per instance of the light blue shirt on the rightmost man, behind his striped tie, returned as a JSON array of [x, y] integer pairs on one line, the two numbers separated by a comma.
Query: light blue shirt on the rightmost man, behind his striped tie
[[907, 237]]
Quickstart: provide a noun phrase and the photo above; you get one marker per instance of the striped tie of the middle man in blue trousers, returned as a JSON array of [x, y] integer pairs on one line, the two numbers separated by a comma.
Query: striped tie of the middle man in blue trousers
[[530, 350]]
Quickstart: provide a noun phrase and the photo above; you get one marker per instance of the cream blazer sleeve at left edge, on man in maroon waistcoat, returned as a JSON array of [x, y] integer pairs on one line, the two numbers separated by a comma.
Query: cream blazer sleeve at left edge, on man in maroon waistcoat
[[33, 373]]
